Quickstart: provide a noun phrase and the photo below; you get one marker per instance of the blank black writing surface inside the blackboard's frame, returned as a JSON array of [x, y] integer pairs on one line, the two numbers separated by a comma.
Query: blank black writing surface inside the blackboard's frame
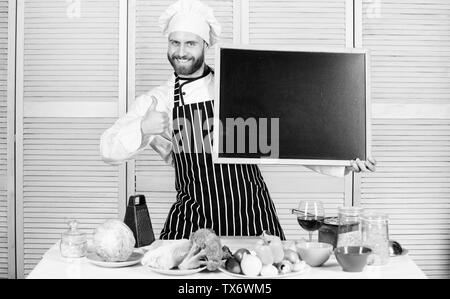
[[318, 97]]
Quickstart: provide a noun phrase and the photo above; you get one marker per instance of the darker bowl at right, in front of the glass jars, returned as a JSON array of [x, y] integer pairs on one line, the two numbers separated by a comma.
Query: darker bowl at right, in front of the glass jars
[[352, 258]]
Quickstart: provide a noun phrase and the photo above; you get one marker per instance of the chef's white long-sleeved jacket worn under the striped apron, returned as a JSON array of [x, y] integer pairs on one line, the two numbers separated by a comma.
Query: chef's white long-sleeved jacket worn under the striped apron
[[124, 139]]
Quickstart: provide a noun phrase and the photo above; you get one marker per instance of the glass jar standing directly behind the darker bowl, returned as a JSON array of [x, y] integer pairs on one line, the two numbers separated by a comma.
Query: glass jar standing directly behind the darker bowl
[[349, 226]]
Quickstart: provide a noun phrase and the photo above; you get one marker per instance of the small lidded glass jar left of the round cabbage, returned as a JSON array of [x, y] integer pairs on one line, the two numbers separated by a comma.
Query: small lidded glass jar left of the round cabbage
[[73, 242]]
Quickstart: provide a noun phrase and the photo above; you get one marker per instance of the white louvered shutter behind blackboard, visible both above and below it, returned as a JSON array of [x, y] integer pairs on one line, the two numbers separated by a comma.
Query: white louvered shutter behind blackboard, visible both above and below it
[[308, 24]]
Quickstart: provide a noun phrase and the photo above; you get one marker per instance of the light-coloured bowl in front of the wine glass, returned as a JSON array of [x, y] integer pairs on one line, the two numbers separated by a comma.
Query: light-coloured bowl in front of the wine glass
[[314, 254]]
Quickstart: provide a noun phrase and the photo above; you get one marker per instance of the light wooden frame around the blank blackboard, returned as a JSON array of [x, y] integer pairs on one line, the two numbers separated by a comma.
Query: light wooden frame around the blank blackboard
[[227, 160]]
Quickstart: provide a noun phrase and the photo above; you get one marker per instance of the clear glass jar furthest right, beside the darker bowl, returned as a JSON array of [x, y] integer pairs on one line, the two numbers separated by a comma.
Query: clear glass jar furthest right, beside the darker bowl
[[375, 235]]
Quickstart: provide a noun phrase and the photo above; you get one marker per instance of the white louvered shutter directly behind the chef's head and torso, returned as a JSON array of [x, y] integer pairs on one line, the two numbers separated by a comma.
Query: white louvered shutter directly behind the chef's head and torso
[[153, 177]]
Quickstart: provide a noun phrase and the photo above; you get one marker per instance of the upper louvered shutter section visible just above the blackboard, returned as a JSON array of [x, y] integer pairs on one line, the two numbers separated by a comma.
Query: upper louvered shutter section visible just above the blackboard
[[299, 23]]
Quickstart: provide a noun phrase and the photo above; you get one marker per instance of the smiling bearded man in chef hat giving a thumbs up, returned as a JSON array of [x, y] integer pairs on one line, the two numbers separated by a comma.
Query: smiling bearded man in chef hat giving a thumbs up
[[230, 199]]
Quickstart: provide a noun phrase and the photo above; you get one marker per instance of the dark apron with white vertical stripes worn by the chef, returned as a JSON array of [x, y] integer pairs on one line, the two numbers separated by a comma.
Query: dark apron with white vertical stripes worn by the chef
[[231, 199]]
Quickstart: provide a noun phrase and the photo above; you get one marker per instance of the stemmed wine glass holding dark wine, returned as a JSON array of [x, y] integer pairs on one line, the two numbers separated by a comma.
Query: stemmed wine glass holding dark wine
[[310, 215]]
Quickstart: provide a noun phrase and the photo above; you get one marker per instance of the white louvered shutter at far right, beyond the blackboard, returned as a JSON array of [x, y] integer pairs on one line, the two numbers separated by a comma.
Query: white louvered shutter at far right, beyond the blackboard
[[409, 42]]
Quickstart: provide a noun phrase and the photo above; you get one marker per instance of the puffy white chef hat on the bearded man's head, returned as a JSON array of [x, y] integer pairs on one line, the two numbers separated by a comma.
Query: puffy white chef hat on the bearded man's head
[[191, 16]]
